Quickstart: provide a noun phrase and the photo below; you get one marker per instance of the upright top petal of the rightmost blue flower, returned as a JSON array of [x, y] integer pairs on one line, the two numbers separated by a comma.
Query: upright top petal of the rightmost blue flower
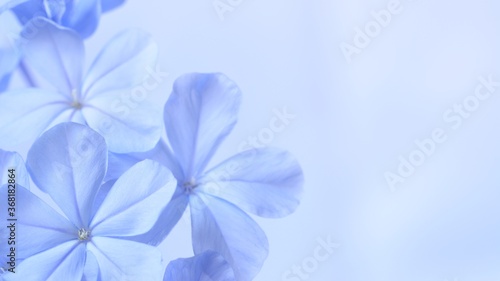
[[199, 114]]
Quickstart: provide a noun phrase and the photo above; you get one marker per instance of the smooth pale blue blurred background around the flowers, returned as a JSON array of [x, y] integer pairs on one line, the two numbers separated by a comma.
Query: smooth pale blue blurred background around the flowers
[[353, 120]]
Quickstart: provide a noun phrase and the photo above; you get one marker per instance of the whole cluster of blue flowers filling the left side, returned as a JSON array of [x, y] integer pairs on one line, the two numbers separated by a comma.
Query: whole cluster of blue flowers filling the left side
[[117, 178]]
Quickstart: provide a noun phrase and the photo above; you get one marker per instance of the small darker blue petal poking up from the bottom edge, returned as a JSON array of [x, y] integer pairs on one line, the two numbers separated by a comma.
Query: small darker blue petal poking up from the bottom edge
[[209, 266]]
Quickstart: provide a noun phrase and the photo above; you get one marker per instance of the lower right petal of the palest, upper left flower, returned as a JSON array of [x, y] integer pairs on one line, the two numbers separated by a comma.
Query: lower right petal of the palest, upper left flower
[[130, 130]]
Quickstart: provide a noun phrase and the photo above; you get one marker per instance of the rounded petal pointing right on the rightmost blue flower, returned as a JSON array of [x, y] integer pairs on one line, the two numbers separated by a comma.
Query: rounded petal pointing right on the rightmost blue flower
[[266, 182]]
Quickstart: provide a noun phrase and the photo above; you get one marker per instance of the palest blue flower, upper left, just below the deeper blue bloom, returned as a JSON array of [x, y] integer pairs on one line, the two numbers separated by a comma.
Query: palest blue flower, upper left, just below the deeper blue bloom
[[113, 98]]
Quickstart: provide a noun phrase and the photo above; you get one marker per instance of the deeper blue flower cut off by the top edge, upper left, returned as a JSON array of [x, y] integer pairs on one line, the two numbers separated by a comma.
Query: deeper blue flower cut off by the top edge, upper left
[[81, 16]]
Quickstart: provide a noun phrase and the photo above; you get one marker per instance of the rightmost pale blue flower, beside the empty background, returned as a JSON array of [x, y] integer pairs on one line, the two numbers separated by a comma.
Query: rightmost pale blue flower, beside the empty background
[[200, 113]]
